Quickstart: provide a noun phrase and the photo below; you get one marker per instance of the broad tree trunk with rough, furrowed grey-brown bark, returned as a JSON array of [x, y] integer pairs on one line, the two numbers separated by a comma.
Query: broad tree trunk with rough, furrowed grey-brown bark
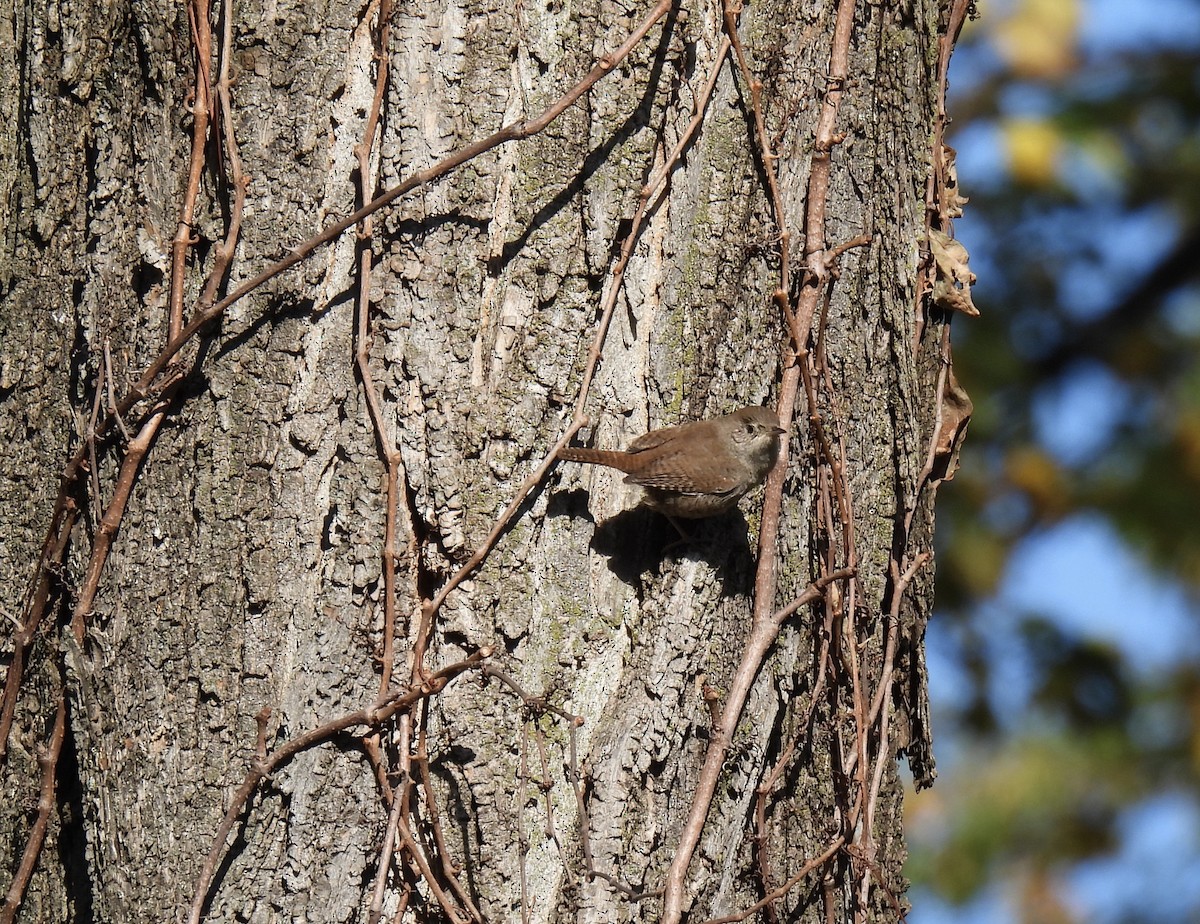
[[326, 454]]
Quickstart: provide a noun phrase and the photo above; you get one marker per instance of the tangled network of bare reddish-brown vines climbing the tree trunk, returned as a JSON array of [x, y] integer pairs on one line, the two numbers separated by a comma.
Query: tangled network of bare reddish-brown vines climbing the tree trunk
[[397, 722]]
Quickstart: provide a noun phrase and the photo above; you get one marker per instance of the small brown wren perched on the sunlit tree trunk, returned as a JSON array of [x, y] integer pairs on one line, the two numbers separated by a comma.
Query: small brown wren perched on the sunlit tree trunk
[[697, 470]]
